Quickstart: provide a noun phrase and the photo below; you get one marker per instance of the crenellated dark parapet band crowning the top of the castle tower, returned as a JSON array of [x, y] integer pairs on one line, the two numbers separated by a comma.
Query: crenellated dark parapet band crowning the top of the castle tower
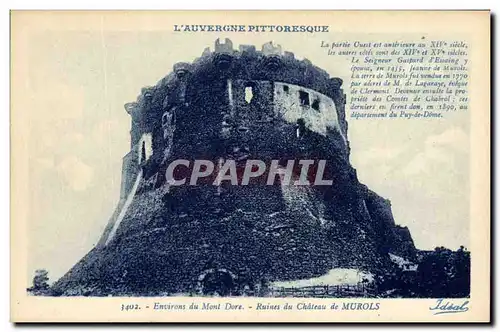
[[271, 63]]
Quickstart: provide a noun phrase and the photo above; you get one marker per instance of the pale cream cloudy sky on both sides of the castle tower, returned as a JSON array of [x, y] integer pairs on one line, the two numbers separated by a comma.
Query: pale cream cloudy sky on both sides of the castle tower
[[80, 80]]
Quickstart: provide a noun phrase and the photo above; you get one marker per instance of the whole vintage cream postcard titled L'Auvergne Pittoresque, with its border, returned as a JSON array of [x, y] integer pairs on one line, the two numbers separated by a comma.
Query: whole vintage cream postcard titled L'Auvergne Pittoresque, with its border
[[250, 166]]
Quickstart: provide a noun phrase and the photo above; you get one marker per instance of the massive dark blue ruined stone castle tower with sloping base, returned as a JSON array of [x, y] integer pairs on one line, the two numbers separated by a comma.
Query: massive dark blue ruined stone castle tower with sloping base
[[237, 105]]
